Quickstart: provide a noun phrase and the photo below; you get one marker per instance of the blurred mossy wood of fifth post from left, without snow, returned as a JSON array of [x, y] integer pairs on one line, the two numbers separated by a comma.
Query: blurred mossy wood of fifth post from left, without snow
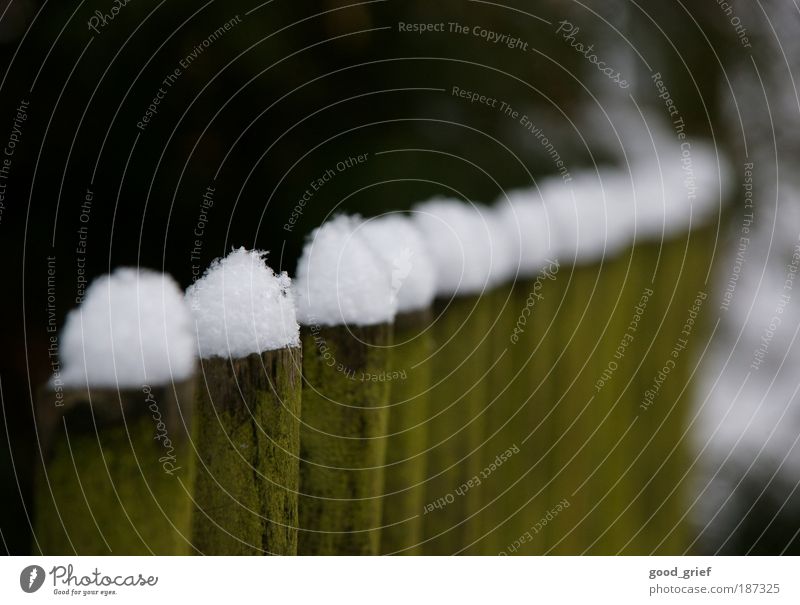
[[458, 398]]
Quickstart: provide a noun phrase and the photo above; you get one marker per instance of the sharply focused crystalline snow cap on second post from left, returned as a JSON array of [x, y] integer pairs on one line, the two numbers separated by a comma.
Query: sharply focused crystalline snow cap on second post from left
[[240, 306]]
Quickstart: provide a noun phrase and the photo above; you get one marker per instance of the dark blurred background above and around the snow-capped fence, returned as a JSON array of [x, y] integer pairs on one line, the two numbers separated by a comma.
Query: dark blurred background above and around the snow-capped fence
[[255, 102]]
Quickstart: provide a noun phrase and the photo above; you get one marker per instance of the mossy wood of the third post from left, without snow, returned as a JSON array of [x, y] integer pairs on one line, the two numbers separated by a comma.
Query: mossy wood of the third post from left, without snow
[[343, 438]]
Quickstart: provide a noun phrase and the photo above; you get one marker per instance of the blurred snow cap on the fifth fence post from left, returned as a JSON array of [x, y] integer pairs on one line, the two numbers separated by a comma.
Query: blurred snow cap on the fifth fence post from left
[[459, 242]]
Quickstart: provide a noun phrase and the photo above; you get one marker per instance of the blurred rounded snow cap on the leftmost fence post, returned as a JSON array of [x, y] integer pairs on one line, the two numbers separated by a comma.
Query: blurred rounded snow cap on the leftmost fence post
[[133, 328]]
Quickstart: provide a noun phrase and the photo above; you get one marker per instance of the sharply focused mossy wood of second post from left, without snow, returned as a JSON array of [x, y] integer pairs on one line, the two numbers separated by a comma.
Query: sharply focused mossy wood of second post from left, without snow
[[248, 443]]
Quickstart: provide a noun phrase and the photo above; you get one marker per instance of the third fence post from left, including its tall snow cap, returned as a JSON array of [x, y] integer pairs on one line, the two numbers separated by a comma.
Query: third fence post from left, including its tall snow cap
[[346, 306]]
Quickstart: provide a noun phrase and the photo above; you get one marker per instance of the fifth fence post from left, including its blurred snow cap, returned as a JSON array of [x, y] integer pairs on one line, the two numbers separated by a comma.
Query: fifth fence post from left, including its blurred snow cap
[[460, 246]]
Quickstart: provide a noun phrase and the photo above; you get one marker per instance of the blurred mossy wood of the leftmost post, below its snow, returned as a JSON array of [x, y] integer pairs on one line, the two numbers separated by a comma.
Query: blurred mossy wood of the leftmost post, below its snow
[[118, 472]]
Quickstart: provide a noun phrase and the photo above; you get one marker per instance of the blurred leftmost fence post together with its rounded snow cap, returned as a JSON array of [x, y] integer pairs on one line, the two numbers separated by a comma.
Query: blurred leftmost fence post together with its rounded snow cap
[[117, 472]]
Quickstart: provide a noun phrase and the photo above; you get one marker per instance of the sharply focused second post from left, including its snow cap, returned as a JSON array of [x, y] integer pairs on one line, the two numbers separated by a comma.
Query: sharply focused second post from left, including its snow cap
[[247, 435]]
